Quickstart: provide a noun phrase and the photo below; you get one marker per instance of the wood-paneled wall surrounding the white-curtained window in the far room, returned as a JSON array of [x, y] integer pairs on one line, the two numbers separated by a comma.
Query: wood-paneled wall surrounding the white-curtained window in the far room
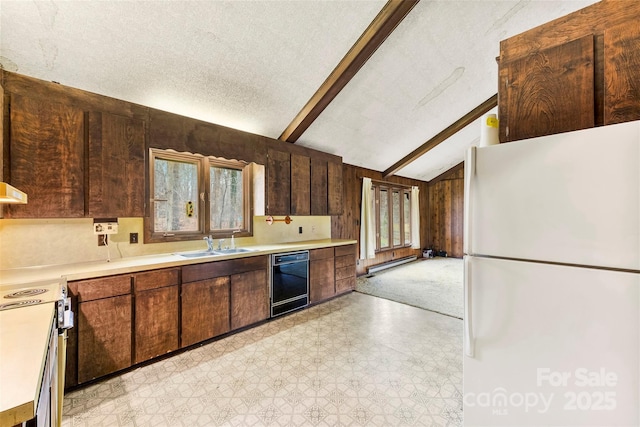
[[347, 225]]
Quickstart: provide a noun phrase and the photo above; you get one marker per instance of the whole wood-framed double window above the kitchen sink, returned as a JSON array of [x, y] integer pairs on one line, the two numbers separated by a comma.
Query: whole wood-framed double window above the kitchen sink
[[195, 196]]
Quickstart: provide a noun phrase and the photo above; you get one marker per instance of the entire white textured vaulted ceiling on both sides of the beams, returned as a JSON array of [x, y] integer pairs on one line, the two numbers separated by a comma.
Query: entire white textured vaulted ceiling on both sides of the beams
[[255, 65]]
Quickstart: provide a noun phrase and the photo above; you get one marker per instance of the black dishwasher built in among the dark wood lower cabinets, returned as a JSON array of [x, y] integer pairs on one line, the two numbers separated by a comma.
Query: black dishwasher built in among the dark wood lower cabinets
[[289, 282]]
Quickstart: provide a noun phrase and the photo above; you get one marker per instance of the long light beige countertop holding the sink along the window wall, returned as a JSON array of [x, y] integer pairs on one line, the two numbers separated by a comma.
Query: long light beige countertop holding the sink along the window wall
[[88, 270]]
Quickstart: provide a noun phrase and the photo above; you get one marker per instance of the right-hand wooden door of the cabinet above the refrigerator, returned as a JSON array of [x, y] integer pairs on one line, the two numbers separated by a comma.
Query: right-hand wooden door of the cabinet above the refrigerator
[[622, 73]]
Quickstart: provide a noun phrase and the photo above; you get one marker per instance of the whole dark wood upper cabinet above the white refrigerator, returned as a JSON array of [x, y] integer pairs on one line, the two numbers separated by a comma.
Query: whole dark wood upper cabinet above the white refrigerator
[[549, 84]]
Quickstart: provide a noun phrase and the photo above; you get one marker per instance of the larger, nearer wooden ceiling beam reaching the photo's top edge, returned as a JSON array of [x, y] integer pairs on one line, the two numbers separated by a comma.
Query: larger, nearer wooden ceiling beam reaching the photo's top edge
[[376, 33]]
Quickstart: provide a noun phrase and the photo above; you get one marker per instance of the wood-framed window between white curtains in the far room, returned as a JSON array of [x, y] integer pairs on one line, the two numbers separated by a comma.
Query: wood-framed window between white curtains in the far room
[[392, 216]]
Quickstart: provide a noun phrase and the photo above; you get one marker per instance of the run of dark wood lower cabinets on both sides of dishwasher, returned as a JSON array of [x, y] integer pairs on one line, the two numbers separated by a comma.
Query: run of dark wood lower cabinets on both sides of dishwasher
[[125, 319]]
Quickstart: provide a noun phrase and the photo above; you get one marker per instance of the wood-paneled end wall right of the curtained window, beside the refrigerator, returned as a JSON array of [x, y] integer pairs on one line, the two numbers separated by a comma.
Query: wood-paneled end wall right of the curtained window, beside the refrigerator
[[446, 207]]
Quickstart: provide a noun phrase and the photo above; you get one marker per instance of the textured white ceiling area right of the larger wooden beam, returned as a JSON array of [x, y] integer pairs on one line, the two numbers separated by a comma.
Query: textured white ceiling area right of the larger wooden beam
[[439, 64]]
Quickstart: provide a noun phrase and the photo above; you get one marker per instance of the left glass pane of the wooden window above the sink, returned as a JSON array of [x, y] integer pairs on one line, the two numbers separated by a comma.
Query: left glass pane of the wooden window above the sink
[[175, 196]]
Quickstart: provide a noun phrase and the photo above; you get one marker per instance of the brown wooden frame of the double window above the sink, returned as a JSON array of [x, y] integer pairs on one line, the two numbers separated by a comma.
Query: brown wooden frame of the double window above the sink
[[204, 218]]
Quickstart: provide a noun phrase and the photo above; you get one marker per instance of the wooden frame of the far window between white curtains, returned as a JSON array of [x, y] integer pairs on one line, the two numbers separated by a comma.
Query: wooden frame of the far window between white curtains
[[391, 189]]
